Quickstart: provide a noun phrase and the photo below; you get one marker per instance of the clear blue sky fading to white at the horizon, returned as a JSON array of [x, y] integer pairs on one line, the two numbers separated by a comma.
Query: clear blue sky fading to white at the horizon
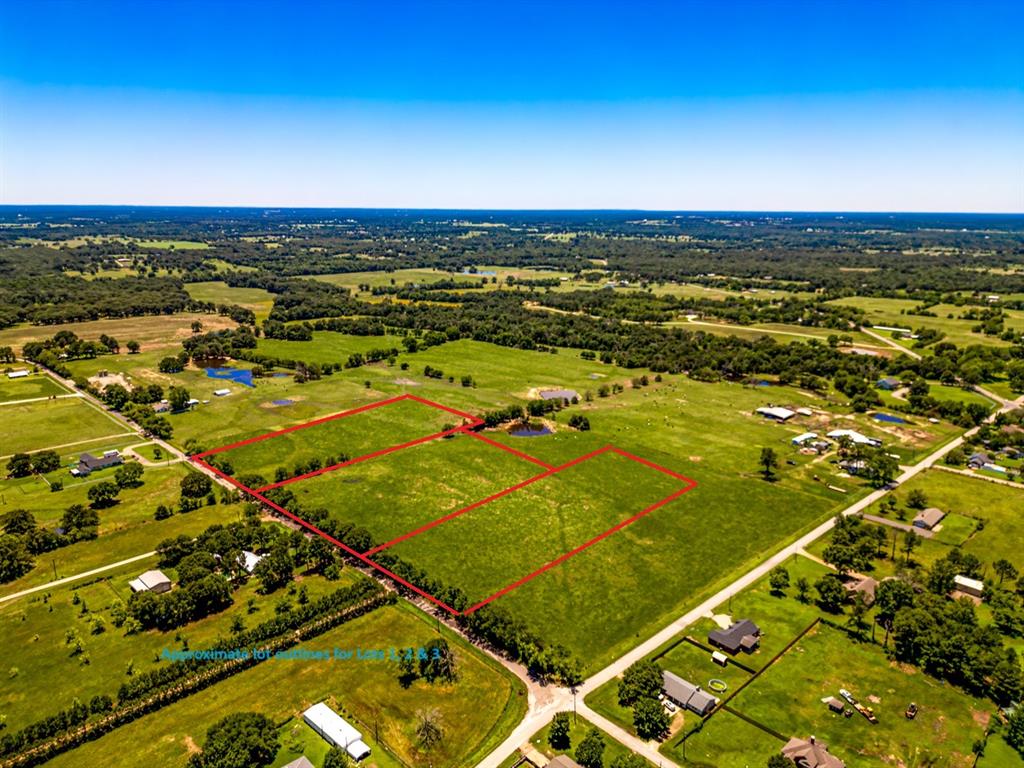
[[732, 106]]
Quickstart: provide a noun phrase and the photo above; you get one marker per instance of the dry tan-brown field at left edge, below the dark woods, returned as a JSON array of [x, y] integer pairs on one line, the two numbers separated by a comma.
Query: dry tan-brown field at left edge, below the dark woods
[[152, 332]]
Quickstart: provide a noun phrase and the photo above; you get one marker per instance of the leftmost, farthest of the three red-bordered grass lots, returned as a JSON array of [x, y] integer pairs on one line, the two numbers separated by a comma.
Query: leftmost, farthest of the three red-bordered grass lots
[[353, 436]]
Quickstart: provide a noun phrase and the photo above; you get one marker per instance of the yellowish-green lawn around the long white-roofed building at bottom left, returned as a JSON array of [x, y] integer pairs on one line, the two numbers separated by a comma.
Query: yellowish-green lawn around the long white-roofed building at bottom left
[[476, 713]]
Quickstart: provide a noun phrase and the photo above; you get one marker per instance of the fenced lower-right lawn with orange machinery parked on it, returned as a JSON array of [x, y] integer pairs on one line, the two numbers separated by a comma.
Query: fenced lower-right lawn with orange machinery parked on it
[[788, 699]]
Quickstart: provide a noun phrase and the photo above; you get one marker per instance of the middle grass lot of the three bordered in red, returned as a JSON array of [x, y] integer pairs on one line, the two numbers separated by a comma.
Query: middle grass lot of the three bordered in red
[[401, 492]]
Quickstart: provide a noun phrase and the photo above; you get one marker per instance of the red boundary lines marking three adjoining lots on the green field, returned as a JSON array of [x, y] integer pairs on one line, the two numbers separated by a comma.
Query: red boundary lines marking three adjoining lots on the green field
[[468, 429]]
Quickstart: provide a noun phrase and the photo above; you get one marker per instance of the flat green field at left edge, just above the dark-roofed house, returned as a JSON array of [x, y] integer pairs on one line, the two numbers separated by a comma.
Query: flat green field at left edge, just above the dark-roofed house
[[32, 426]]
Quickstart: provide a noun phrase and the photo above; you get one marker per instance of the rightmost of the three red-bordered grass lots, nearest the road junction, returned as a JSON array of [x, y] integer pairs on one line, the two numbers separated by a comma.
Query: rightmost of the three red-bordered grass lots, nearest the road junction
[[520, 533]]
